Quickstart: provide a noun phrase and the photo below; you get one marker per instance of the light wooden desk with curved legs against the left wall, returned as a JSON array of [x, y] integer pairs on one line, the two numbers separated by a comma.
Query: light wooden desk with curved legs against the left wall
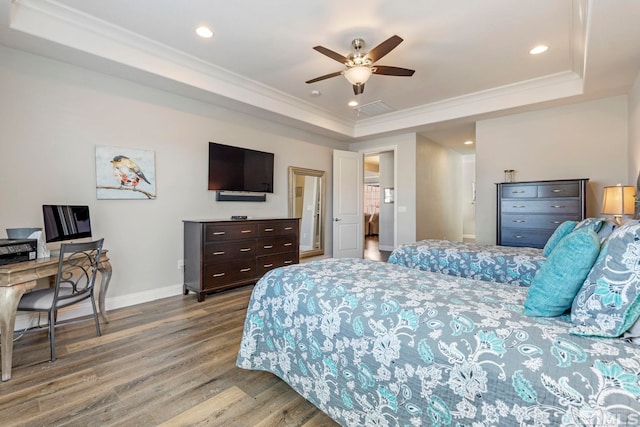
[[18, 278]]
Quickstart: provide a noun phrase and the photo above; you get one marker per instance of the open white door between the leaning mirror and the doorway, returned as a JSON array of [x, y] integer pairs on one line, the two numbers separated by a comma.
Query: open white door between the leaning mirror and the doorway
[[348, 172]]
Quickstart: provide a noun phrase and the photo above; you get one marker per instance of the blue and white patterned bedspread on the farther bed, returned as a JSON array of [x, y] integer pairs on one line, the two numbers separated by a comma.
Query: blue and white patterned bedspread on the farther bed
[[501, 264]]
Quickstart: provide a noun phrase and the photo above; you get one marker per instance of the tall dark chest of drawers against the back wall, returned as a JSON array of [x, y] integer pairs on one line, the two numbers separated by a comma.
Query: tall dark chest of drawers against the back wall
[[529, 212]]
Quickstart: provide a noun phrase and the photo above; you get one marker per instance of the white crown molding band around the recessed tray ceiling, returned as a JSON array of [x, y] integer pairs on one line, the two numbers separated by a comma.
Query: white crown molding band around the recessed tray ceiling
[[55, 22]]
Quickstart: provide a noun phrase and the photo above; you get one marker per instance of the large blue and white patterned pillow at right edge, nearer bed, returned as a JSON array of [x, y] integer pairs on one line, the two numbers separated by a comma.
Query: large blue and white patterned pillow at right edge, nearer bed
[[608, 304]]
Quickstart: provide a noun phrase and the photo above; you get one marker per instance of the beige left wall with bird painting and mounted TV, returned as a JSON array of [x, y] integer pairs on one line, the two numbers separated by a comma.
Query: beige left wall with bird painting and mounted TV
[[52, 117]]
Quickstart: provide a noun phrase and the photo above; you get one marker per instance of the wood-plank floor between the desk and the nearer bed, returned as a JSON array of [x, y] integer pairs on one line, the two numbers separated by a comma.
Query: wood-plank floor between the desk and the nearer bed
[[169, 362]]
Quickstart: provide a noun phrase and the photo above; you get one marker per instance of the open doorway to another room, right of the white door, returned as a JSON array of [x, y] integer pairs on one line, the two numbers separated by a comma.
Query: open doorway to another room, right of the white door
[[379, 212]]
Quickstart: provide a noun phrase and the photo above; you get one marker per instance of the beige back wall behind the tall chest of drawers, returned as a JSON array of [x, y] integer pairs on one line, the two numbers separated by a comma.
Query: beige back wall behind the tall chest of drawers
[[586, 140]]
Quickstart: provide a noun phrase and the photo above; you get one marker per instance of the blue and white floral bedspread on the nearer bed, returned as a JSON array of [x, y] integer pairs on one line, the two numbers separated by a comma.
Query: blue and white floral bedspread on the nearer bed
[[377, 344]]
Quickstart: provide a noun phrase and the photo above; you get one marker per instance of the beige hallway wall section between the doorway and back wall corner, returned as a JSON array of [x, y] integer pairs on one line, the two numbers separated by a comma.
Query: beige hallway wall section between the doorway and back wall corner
[[439, 192]]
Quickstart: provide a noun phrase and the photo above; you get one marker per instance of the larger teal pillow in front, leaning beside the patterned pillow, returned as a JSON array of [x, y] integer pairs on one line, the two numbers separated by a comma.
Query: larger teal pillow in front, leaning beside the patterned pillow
[[559, 279]]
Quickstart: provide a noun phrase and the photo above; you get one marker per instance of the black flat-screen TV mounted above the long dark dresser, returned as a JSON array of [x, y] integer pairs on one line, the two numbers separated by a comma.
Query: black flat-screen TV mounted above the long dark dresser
[[240, 169]]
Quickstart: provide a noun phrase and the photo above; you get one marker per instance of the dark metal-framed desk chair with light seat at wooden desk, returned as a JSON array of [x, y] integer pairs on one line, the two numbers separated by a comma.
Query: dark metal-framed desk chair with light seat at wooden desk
[[77, 270]]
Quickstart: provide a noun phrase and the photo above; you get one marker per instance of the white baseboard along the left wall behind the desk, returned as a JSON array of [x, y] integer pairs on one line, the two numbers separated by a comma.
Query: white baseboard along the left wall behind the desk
[[24, 319]]
